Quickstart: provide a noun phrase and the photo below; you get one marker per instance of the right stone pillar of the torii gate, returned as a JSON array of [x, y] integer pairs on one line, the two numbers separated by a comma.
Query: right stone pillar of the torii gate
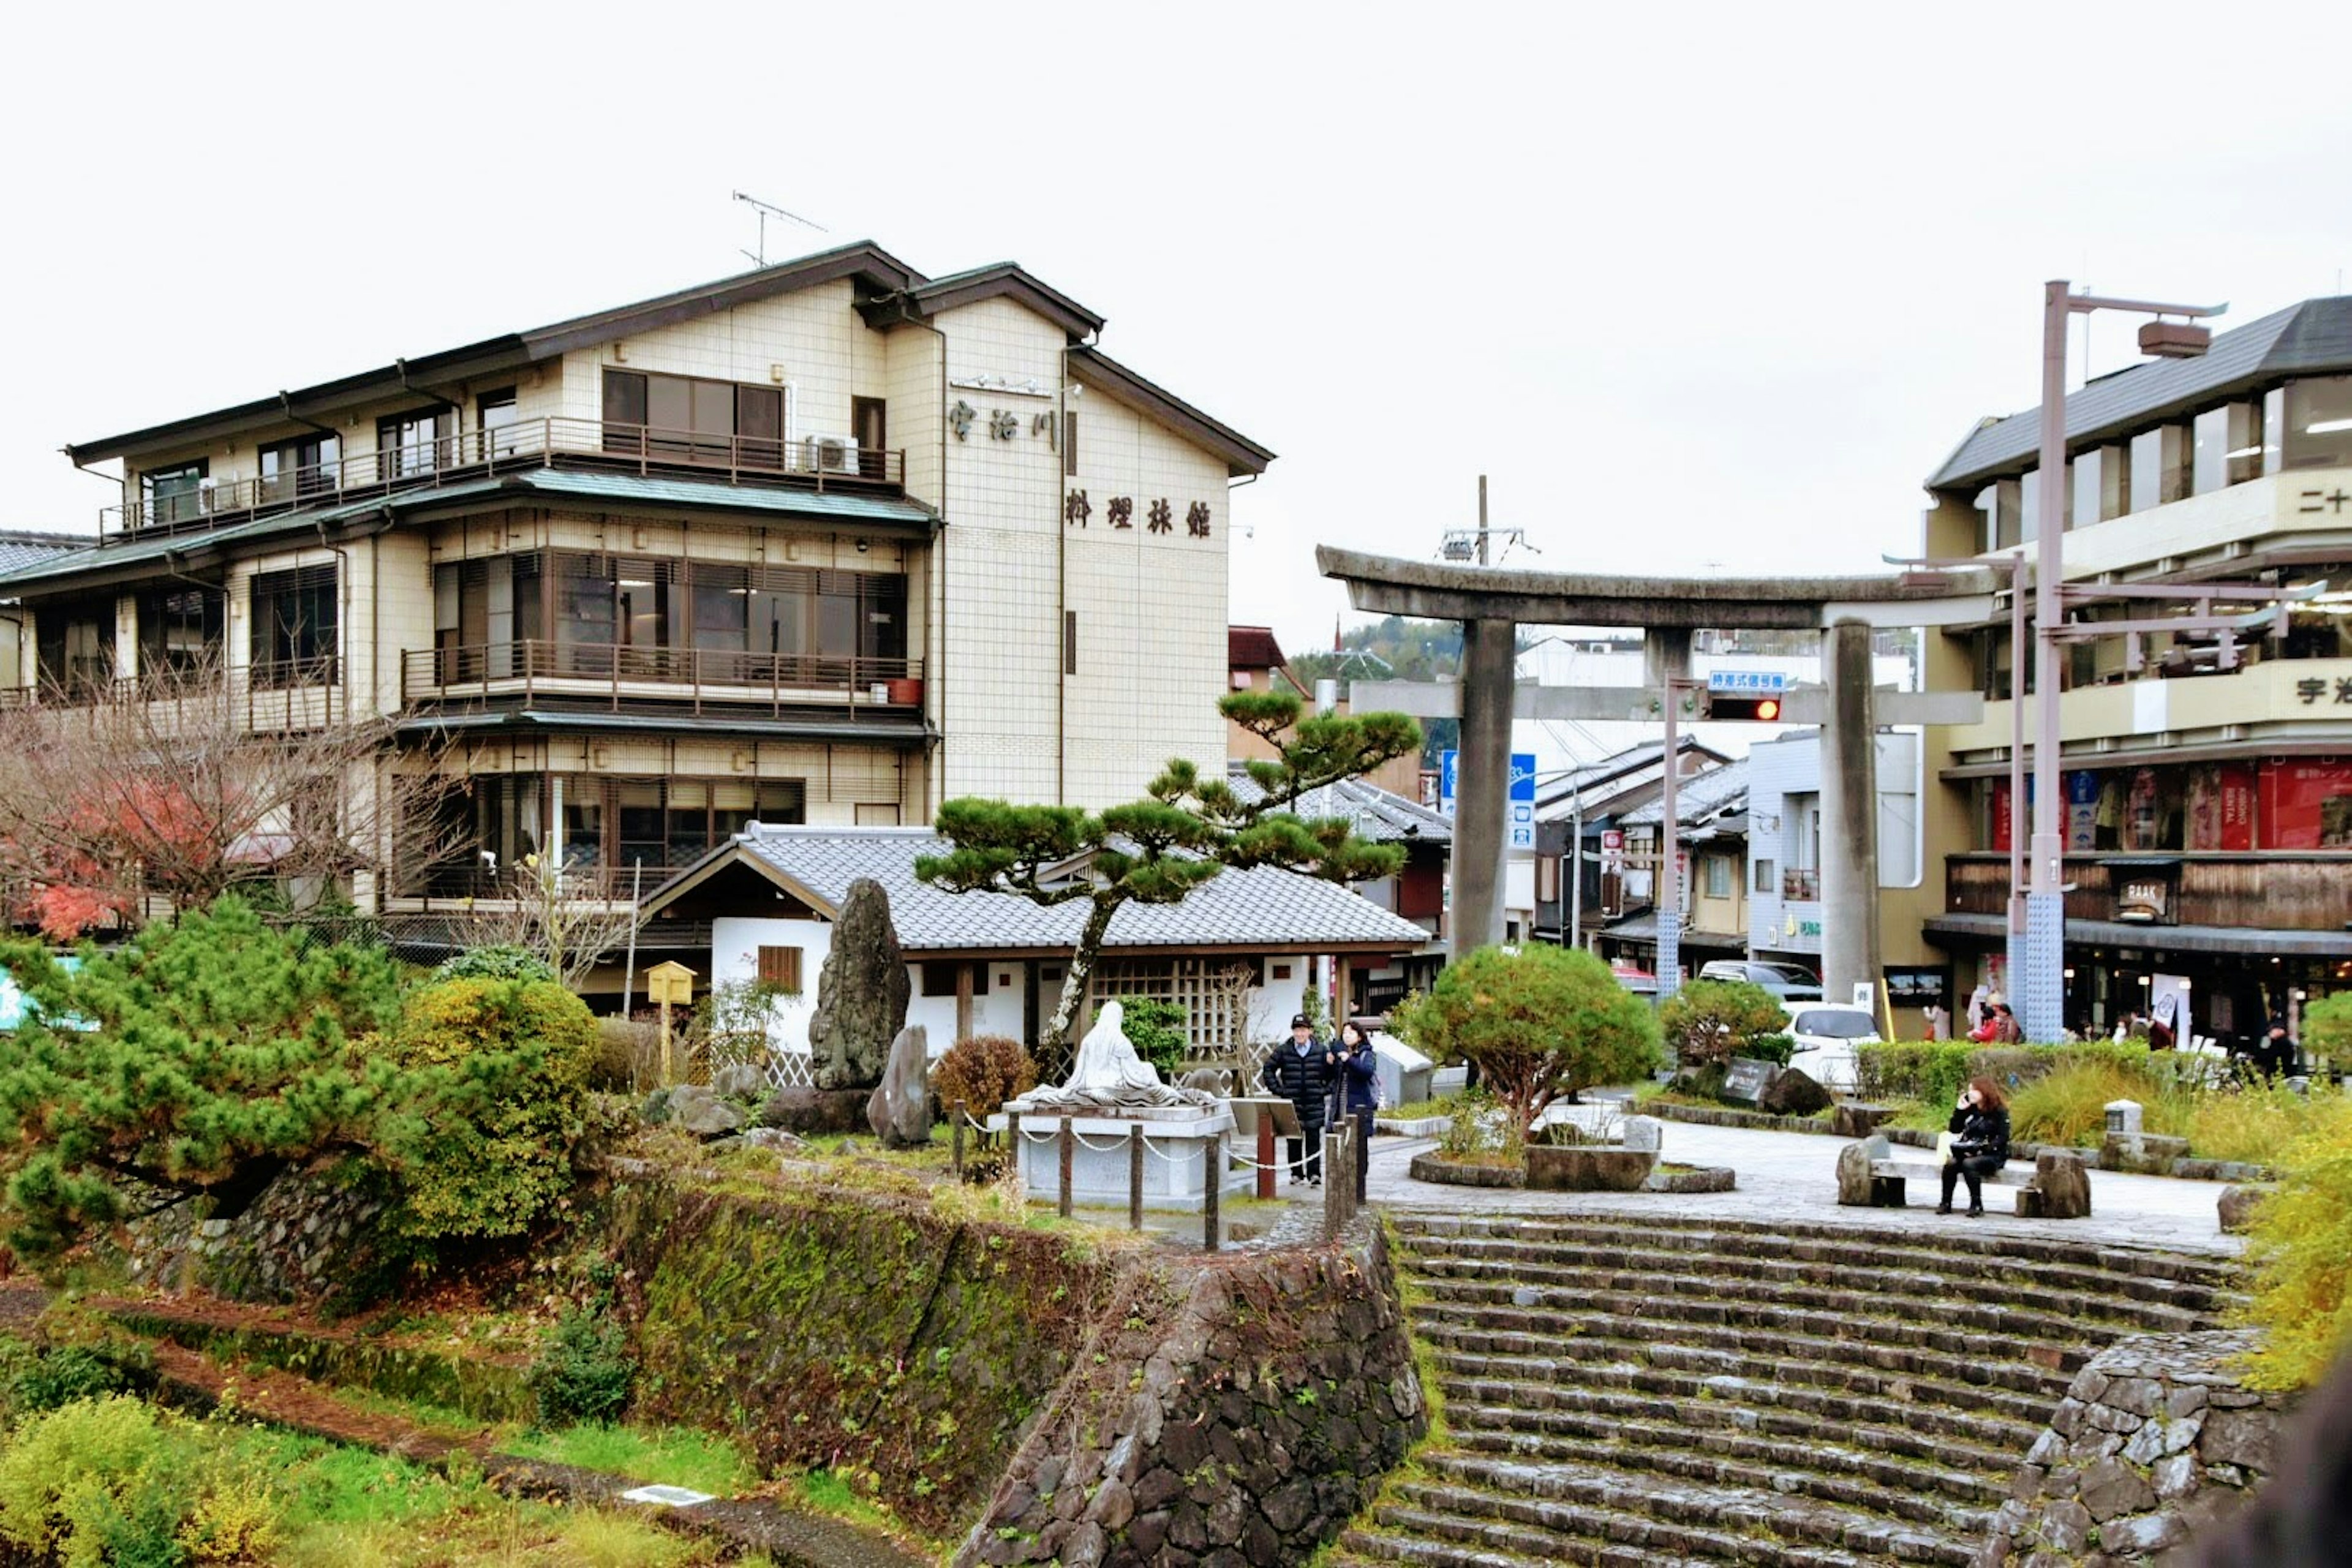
[[1850, 819]]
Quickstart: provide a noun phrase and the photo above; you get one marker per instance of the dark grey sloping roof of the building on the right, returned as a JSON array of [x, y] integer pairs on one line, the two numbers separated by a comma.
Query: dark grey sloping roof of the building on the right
[[2301, 340]]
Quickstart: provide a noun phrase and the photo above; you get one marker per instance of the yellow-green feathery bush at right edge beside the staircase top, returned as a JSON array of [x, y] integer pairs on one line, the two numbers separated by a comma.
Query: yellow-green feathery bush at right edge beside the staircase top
[[2301, 1252]]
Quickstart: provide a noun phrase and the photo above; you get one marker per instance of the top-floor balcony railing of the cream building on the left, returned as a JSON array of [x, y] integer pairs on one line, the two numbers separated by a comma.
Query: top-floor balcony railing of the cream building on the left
[[535, 443]]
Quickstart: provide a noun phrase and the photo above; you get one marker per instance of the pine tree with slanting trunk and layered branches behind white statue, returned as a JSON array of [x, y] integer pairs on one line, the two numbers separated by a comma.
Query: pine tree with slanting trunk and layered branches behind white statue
[[1187, 831]]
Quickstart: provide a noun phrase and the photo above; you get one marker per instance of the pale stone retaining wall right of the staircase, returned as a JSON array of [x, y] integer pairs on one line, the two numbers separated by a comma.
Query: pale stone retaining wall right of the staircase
[[2156, 1440]]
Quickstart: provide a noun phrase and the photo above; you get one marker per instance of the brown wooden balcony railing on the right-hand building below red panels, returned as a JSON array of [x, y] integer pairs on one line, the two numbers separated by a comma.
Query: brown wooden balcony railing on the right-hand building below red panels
[[2257, 892]]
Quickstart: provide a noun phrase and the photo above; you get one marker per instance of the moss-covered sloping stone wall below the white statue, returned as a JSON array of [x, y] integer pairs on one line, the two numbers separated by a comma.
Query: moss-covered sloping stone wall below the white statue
[[853, 1332]]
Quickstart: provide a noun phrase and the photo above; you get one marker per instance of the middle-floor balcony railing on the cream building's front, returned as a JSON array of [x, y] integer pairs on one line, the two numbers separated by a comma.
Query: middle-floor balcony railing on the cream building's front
[[632, 678]]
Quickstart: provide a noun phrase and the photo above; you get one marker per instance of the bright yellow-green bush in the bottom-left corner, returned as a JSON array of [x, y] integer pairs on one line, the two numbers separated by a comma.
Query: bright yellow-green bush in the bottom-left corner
[[100, 1482]]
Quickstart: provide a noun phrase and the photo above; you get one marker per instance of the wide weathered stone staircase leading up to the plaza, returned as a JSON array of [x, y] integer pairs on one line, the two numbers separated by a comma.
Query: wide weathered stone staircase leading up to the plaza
[[1655, 1393]]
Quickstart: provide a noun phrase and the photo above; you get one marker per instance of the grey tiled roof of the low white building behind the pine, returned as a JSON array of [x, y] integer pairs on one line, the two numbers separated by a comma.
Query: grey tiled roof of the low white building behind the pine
[[1241, 909]]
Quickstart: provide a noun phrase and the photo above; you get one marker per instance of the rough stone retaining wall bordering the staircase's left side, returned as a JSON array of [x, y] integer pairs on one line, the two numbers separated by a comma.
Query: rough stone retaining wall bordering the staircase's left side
[[1243, 1423]]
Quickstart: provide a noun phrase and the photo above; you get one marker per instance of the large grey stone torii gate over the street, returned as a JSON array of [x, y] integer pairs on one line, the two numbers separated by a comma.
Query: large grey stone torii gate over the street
[[1492, 603]]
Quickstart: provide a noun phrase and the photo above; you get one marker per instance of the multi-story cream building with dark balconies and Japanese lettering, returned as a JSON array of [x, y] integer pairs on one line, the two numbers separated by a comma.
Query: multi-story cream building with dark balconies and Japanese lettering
[[827, 542]]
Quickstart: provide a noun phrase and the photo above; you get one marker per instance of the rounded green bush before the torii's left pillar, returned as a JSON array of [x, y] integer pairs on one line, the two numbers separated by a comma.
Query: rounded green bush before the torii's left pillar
[[1537, 1021]]
